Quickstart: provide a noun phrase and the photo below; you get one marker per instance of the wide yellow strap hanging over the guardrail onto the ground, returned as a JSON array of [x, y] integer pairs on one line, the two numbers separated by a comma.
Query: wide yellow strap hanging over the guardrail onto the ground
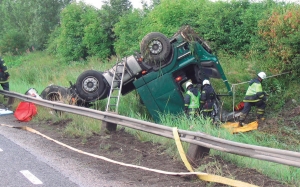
[[205, 176]]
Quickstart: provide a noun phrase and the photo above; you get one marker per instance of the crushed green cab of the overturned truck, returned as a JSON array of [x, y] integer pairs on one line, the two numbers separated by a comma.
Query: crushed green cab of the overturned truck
[[162, 89]]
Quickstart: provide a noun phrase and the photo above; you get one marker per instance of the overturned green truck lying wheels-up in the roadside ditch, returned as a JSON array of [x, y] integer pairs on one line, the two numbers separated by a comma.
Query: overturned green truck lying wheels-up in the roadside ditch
[[158, 73]]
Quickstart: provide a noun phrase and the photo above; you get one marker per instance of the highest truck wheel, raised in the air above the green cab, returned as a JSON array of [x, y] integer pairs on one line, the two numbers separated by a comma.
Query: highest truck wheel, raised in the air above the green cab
[[156, 48]]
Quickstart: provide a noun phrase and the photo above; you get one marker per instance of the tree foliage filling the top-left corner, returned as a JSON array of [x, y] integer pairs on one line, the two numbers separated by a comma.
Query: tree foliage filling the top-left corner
[[34, 20]]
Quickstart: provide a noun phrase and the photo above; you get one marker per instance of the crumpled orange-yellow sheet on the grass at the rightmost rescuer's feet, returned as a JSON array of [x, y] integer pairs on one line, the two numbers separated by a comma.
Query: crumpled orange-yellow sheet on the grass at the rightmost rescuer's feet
[[234, 127]]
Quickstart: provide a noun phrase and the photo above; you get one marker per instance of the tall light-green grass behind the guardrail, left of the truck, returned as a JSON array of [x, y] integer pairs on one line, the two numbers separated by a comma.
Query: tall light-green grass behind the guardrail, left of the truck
[[38, 70]]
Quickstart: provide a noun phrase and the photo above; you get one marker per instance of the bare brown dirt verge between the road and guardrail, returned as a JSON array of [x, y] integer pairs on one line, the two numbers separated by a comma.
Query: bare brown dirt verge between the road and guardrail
[[123, 147]]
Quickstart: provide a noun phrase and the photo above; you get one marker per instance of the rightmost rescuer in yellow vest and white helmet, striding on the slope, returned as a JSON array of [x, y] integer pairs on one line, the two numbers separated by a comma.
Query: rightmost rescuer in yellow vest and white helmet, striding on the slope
[[255, 96]]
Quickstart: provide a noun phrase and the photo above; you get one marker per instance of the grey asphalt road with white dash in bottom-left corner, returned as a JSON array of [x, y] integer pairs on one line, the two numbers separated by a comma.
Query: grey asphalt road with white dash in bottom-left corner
[[21, 168]]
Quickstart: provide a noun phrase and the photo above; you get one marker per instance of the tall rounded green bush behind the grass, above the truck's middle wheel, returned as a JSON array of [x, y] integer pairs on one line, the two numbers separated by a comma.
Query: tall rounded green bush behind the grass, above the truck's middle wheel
[[79, 35]]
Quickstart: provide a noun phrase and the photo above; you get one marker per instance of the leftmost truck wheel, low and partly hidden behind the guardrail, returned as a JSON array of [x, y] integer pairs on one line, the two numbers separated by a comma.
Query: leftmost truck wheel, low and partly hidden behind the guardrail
[[54, 93]]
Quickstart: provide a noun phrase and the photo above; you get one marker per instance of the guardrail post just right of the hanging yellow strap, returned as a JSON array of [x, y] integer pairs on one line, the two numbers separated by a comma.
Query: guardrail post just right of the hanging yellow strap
[[196, 152]]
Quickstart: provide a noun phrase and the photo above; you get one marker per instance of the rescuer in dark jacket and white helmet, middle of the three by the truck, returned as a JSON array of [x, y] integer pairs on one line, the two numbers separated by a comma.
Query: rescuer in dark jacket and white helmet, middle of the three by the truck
[[208, 98]]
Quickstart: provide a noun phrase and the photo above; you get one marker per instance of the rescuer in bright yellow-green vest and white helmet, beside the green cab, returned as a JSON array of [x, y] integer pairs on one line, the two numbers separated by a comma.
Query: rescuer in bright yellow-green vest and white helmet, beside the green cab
[[191, 100]]
